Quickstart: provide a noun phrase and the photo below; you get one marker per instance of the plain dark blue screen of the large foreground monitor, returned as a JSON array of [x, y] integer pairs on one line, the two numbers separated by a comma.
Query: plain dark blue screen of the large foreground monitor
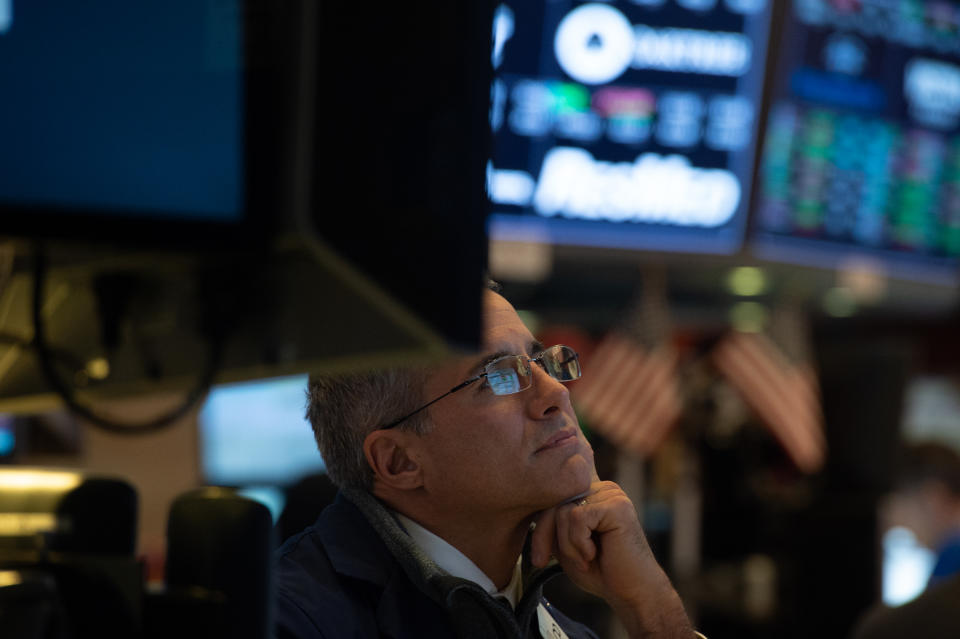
[[113, 106]]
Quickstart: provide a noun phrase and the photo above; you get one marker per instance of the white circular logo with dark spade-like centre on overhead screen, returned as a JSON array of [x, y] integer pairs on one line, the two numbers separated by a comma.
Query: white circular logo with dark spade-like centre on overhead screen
[[594, 43]]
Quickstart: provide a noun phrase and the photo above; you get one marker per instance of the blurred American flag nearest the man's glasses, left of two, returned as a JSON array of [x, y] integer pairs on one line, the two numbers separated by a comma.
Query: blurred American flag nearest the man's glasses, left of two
[[629, 392]]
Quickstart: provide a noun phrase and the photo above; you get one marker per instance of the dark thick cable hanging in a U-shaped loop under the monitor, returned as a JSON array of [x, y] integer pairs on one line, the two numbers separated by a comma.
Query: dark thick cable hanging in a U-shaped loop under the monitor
[[46, 354]]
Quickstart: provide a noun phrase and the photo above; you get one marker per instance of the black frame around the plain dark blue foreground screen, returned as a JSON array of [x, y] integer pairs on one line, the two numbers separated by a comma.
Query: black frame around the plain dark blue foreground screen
[[271, 40]]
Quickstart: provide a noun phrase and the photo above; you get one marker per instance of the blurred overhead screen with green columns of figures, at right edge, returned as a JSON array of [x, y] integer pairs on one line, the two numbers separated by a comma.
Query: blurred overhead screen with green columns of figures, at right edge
[[862, 149]]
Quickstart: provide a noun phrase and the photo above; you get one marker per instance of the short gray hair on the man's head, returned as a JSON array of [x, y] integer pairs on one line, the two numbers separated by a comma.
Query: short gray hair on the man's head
[[344, 409]]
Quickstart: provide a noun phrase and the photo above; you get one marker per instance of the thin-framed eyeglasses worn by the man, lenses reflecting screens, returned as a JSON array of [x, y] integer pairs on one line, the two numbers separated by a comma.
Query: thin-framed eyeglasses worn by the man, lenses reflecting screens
[[512, 373]]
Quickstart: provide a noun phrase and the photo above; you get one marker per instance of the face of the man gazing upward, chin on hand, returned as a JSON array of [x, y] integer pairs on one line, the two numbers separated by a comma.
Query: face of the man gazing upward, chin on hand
[[488, 453]]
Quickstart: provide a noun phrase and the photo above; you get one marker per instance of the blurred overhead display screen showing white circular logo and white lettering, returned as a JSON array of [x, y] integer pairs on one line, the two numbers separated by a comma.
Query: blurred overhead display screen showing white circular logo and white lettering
[[626, 124]]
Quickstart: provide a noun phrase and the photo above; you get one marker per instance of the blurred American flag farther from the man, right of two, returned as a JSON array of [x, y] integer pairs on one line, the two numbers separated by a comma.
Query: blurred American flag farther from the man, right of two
[[779, 385]]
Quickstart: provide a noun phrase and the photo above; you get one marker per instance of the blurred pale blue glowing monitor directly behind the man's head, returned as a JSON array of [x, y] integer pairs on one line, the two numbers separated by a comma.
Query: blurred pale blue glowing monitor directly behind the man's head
[[255, 434]]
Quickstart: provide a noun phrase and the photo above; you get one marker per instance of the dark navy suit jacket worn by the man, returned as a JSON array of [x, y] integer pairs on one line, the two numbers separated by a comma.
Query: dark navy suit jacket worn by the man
[[339, 580]]
